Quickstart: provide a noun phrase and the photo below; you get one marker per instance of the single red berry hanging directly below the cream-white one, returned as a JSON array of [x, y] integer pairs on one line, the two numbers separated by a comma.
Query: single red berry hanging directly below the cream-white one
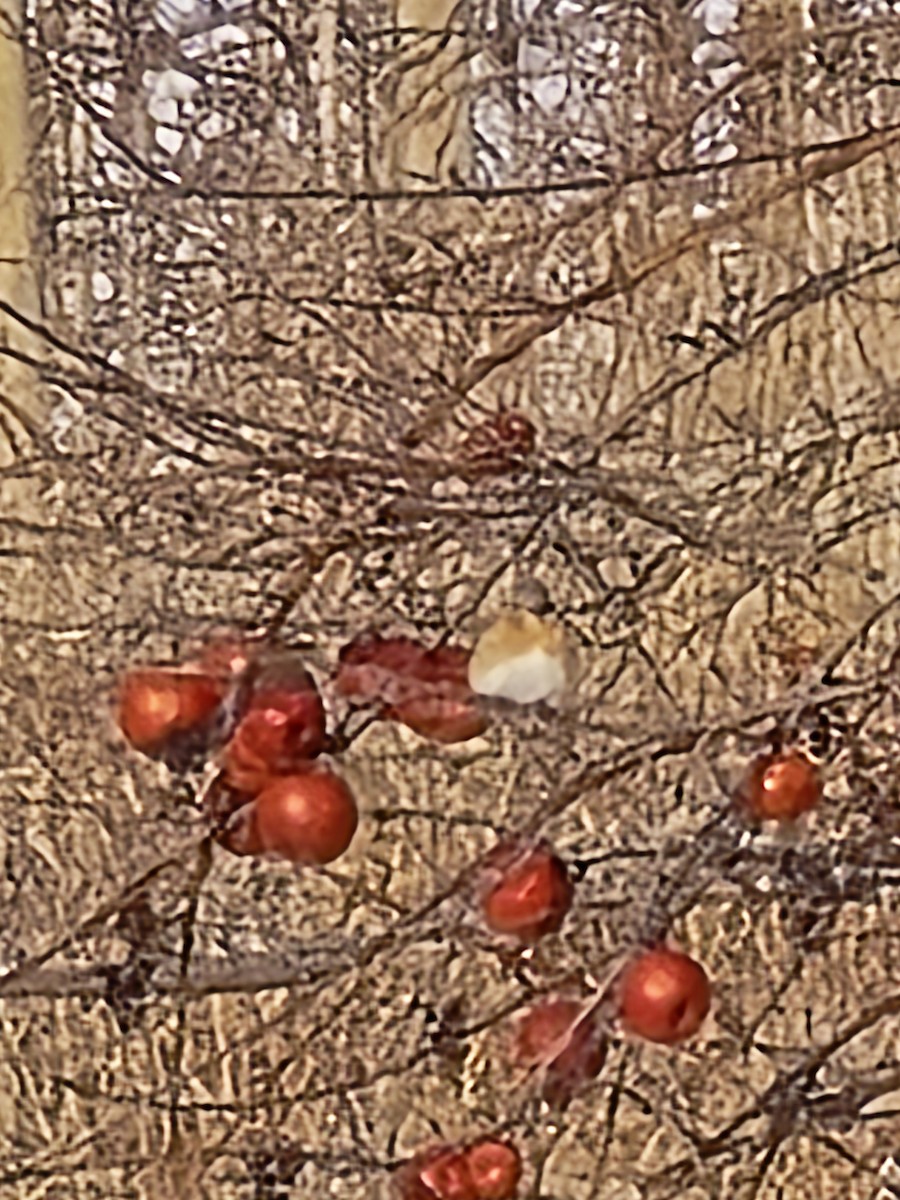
[[532, 896]]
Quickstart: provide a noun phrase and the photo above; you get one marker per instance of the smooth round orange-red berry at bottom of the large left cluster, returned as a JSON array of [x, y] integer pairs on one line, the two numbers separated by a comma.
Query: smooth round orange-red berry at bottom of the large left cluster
[[307, 819]]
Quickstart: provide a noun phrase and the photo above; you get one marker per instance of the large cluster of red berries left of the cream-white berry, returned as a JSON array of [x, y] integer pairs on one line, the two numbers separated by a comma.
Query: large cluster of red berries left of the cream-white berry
[[263, 715]]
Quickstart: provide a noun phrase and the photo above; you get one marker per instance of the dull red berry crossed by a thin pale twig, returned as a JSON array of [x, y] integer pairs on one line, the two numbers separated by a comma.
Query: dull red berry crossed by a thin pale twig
[[567, 1043]]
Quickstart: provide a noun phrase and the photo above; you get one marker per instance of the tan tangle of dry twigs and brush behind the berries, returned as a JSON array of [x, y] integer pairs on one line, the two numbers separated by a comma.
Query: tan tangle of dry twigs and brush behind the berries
[[275, 291]]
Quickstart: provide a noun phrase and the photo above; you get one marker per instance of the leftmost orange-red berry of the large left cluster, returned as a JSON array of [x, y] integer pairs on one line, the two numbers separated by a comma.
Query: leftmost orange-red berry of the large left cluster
[[158, 705]]
